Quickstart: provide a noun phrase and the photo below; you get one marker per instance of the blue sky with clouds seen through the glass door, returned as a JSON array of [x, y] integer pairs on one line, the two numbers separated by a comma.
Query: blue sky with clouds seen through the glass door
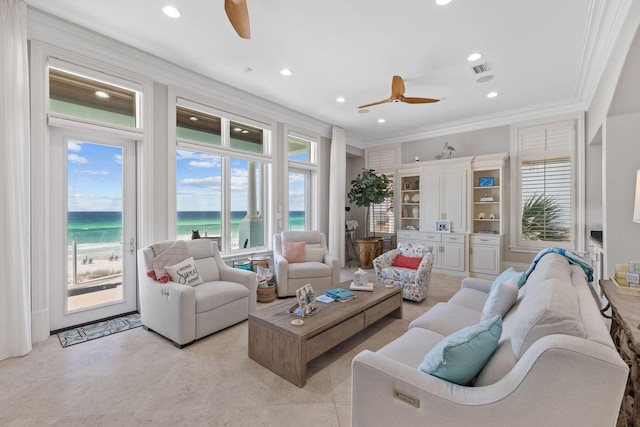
[[94, 177]]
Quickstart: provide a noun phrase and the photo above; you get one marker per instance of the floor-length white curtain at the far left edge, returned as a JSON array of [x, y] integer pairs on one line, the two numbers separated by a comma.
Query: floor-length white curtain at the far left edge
[[15, 312]]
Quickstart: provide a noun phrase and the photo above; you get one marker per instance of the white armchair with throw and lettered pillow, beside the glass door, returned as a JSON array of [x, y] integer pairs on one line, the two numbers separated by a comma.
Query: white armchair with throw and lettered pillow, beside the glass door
[[183, 313]]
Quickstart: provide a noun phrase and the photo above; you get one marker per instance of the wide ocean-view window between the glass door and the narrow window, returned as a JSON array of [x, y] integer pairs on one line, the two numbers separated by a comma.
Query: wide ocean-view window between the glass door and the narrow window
[[221, 173]]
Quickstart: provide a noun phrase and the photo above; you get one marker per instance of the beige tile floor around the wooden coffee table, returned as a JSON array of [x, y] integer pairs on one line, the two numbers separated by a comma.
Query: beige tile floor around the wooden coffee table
[[139, 378]]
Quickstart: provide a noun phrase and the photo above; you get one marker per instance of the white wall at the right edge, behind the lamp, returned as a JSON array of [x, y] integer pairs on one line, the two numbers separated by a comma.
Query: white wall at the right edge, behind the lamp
[[621, 161]]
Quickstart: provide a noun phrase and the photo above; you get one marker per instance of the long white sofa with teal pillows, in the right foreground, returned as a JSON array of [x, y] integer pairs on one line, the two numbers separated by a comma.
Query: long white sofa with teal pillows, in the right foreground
[[559, 380]]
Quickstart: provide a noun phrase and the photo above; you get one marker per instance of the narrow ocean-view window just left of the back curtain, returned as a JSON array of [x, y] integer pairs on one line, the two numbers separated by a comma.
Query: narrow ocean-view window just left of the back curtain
[[301, 152]]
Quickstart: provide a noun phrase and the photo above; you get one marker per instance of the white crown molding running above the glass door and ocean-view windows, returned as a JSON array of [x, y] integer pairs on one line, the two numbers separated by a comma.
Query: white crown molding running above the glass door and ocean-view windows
[[55, 31]]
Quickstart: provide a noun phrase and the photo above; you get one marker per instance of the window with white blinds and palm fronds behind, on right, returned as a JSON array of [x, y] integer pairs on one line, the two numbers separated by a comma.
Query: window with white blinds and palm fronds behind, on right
[[544, 159]]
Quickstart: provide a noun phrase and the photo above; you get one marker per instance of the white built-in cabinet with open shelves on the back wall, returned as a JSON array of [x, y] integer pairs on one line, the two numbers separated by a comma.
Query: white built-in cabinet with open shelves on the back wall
[[451, 192]]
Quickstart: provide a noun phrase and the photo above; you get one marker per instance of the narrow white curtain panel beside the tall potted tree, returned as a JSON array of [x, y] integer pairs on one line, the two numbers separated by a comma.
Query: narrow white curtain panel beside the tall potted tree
[[337, 193]]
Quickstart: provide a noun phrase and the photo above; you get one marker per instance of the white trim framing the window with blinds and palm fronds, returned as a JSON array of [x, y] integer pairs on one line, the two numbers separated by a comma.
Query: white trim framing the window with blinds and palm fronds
[[578, 213]]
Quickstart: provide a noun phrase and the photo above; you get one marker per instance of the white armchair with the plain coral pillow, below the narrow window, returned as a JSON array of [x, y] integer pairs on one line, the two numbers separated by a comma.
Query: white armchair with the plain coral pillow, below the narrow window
[[319, 268]]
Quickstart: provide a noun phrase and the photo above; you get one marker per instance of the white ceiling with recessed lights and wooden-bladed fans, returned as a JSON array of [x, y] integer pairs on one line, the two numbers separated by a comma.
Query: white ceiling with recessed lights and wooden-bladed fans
[[539, 52]]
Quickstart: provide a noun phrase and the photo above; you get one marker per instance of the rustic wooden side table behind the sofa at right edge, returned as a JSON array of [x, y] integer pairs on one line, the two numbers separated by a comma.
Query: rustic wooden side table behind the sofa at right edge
[[625, 332]]
